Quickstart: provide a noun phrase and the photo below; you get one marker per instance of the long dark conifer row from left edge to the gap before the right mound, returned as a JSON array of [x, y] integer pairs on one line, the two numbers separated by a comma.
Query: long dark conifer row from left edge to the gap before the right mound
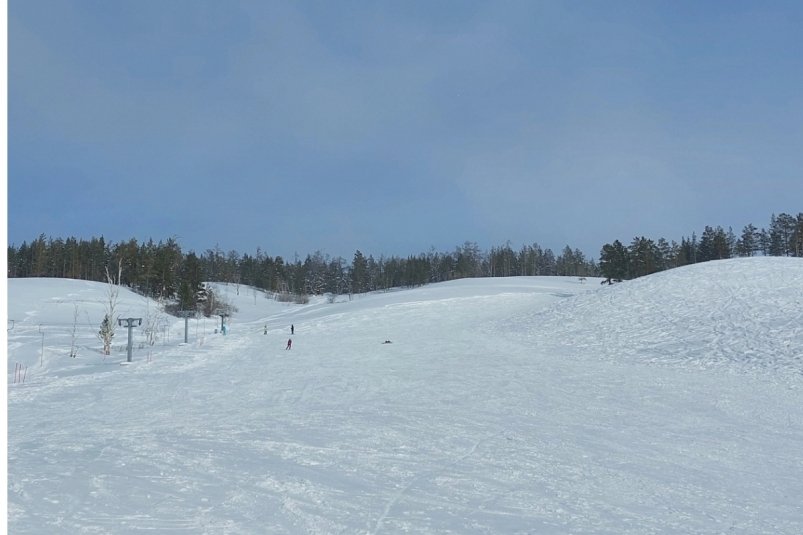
[[163, 271]]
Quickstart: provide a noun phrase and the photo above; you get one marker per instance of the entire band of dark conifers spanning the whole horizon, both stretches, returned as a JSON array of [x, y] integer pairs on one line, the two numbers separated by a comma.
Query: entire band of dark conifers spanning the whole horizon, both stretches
[[163, 271]]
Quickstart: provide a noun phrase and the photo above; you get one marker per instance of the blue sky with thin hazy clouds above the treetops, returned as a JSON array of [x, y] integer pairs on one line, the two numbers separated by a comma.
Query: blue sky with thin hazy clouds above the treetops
[[395, 127]]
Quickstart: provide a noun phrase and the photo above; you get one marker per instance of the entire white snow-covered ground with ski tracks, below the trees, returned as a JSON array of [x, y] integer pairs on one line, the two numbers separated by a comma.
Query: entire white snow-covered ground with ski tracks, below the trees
[[668, 404]]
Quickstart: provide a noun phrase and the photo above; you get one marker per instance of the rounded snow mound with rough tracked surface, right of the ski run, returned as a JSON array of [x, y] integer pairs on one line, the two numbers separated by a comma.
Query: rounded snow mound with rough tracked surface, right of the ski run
[[740, 313]]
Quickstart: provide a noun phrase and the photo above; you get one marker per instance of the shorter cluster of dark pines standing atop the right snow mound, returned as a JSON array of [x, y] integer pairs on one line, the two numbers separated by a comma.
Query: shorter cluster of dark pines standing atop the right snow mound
[[644, 256]]
